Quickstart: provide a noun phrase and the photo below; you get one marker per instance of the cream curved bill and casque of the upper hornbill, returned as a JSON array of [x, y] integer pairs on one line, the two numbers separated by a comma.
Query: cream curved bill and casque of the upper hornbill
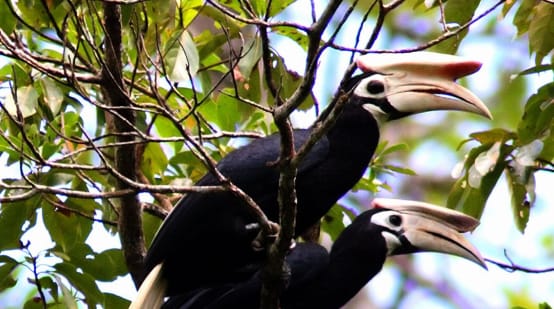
[[425, 81]]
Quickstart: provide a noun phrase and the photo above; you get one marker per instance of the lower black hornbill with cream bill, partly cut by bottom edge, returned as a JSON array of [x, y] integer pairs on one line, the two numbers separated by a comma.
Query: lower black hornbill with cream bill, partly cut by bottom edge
[[322, 280]]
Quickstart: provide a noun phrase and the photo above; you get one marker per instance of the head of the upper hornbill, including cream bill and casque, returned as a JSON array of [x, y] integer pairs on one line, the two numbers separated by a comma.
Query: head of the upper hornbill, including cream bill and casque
[[393, 86]]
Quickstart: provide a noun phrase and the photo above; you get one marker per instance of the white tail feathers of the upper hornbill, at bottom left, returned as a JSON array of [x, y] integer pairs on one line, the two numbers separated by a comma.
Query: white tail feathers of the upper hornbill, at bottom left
[[152, 291]]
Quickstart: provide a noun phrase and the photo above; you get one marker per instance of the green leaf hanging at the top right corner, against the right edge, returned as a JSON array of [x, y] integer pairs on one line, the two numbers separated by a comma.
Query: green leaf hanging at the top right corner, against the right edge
[[541, 30]]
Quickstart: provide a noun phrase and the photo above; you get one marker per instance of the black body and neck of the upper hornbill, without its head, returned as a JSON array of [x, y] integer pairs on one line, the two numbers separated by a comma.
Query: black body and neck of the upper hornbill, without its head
[[215, 224]]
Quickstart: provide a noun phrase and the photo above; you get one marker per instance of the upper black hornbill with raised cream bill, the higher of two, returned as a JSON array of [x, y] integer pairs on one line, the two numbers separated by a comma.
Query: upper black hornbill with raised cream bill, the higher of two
[[207, 238]]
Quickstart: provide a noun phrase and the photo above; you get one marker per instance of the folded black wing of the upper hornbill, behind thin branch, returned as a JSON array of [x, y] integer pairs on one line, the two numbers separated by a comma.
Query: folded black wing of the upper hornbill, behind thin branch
[[204, 226]]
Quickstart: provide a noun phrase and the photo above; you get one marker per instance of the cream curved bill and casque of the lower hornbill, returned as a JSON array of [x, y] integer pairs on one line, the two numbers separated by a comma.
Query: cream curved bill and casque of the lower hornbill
[[427, 227]]
